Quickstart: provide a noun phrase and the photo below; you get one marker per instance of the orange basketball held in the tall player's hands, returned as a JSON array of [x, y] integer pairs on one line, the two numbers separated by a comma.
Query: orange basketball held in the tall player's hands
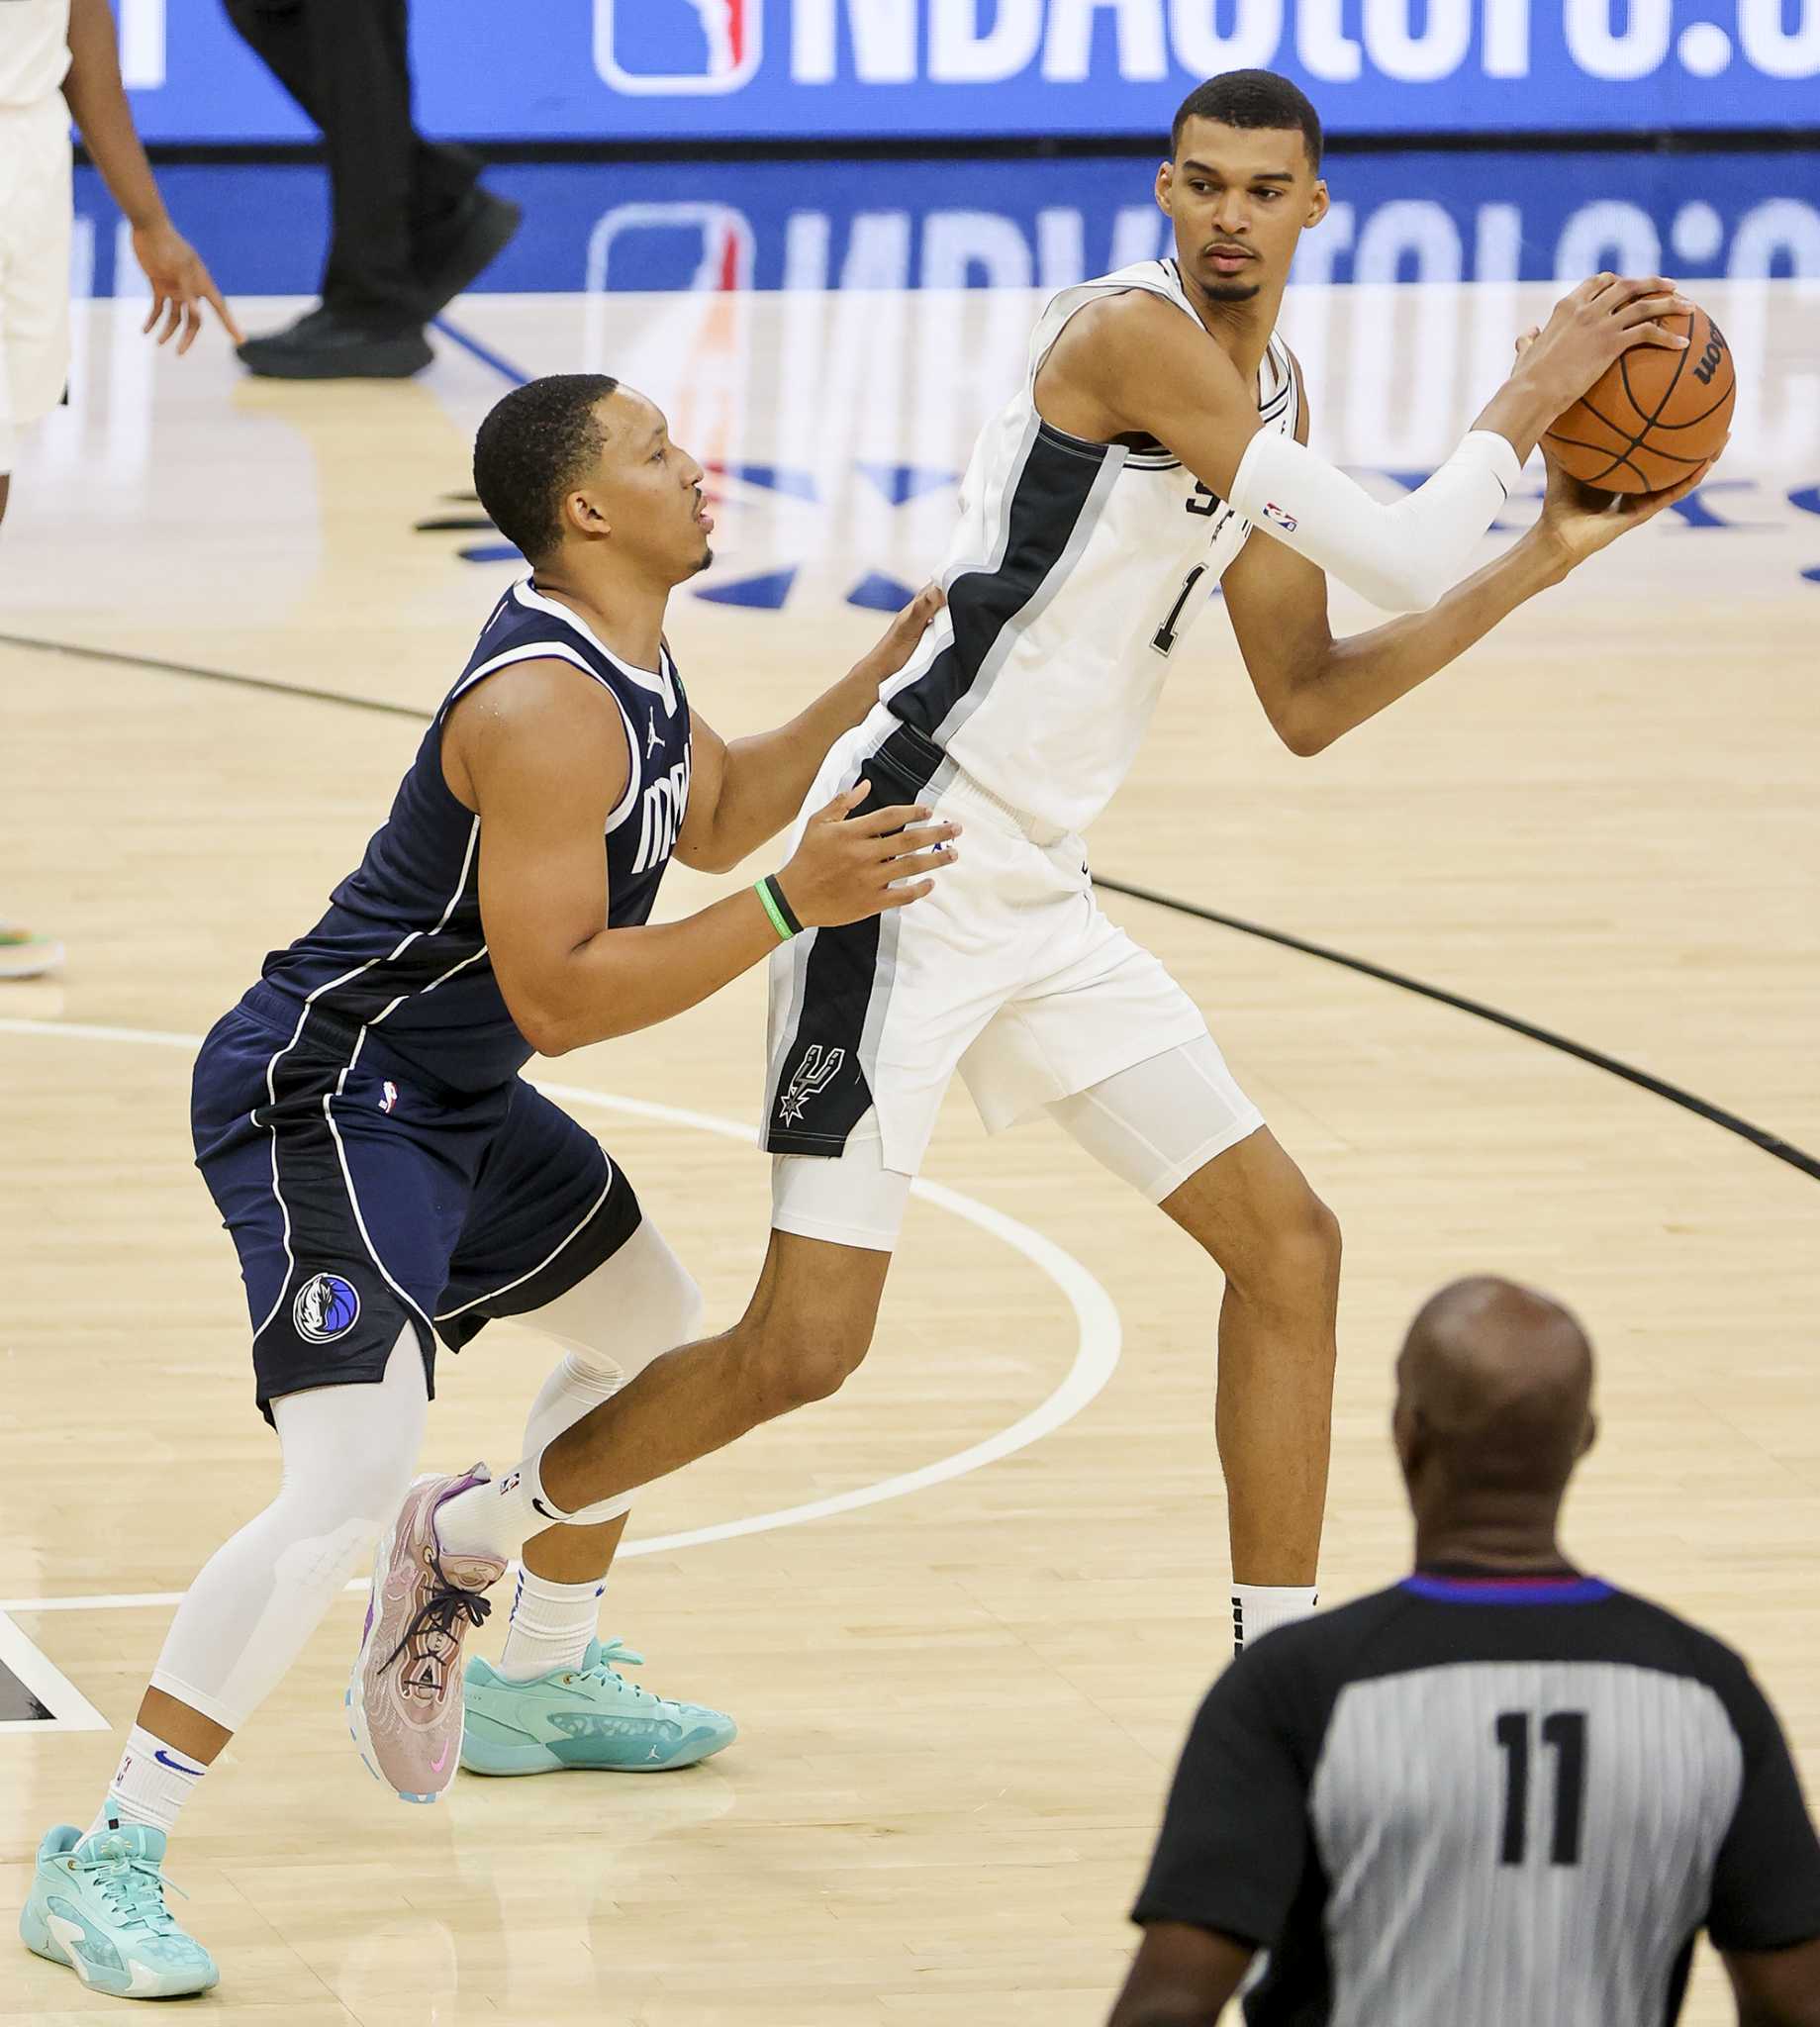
[[1655, 417]]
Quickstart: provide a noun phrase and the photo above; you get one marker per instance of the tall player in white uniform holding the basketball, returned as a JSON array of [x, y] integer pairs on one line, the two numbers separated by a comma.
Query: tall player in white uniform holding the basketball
[[1156, 445]]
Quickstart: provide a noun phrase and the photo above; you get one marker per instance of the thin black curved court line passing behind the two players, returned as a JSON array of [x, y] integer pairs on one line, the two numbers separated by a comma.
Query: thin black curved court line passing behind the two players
[[1689, 1102]]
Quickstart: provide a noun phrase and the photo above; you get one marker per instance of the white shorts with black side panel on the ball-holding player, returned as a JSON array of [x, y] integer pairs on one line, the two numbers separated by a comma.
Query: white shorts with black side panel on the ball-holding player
[[1008, 974]]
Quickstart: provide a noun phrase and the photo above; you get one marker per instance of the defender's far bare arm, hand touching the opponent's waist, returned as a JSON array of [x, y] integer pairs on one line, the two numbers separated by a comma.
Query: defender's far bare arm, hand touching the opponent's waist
[[745, 792]]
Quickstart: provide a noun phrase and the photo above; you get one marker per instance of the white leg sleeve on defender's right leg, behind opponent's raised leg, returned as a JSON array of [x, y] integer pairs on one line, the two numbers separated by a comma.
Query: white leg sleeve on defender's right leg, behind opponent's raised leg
[[633, 1308]]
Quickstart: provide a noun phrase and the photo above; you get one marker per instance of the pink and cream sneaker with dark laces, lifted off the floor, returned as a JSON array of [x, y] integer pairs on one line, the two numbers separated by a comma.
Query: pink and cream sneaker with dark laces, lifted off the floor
[[404, 1698]]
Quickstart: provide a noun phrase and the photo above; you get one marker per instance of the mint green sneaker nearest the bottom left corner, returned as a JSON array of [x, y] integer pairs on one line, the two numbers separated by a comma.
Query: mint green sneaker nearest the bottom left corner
[[98, 1906]]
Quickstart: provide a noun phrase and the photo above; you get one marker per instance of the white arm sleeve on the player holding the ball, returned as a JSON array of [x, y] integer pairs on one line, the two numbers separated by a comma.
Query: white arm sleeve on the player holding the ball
[[1401, 556]]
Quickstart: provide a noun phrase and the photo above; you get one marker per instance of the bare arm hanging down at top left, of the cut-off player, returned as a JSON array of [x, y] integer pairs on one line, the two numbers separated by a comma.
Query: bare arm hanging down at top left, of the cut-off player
[[181, 285]]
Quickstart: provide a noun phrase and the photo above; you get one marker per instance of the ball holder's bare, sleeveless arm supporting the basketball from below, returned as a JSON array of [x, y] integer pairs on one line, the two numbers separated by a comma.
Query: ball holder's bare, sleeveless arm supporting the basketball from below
[[1316, 688]]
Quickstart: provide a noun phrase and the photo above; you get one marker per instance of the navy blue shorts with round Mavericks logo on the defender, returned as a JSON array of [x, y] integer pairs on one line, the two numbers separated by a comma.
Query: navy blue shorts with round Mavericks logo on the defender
[[366, 1199]]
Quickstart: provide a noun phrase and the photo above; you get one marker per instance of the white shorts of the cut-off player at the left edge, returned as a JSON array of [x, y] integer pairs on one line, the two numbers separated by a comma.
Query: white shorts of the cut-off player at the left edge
[[35, 220]]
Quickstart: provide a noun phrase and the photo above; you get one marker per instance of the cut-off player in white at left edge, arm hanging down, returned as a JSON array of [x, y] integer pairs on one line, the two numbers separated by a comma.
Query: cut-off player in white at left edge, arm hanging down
[[60, 62]]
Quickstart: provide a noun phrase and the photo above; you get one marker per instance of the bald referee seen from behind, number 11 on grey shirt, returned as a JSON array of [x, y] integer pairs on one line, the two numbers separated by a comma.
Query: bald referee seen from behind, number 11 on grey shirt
[[1501, 1793]]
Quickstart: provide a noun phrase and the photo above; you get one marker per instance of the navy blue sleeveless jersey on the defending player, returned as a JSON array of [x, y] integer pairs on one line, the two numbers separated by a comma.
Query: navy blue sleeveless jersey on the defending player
[[402, 944]]
